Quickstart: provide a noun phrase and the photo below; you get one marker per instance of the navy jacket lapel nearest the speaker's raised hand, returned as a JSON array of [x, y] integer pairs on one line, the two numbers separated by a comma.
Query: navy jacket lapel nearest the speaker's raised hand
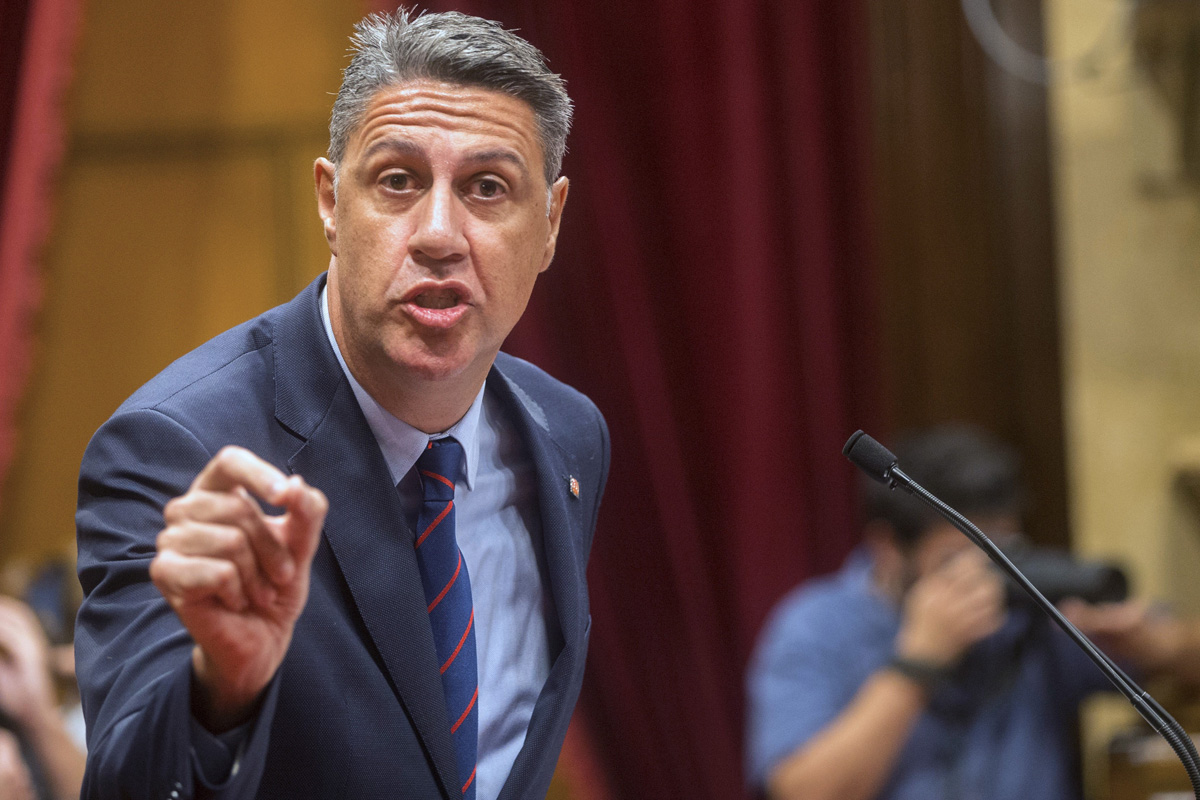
[[364, 528]]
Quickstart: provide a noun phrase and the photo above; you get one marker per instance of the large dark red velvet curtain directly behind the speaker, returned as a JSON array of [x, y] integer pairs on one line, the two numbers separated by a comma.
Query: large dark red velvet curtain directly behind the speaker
[[713, 294]]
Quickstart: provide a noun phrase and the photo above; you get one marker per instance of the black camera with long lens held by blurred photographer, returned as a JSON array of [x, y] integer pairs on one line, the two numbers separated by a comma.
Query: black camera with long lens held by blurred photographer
[[1059, 576]]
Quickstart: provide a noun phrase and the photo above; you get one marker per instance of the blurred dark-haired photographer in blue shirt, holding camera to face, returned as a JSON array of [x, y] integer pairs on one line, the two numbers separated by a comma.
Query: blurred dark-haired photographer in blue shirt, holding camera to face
[[911, 676]]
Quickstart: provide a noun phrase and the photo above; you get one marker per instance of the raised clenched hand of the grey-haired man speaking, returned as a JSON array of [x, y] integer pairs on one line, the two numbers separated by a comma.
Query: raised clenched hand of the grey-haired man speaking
[[238, 578]]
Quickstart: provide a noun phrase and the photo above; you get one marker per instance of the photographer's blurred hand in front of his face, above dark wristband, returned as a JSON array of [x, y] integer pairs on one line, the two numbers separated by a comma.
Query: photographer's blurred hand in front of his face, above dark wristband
[[950, 610]]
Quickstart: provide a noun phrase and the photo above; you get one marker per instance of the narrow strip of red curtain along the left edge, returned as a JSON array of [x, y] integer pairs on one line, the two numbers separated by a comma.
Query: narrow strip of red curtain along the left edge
[[37, 44]]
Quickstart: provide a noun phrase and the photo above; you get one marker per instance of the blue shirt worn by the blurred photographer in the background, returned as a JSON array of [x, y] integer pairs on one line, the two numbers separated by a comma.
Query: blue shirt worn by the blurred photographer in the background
[[1001, 730]]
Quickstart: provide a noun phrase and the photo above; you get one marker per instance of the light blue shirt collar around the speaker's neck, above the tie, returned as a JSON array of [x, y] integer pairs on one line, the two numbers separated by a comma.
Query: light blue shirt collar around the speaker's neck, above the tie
[[401, 443]]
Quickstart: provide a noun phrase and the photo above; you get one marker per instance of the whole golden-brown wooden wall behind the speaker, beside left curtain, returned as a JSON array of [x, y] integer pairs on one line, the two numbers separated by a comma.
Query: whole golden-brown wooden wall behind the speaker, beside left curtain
[[185, 207]]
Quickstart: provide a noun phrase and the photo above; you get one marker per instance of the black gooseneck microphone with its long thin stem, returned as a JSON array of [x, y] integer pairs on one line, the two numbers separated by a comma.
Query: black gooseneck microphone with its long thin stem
[[881, 465]]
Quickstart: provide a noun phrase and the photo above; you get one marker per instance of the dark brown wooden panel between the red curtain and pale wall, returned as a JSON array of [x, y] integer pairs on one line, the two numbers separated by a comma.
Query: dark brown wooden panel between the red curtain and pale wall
[[967, 244]]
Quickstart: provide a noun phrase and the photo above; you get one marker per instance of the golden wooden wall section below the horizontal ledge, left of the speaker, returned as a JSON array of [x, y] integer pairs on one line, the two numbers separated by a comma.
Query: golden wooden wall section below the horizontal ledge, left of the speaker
[[197, 261]]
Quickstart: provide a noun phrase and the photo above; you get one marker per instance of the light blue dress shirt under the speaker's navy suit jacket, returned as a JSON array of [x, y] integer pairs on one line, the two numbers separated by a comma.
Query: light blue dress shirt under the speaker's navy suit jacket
[[500, 533]]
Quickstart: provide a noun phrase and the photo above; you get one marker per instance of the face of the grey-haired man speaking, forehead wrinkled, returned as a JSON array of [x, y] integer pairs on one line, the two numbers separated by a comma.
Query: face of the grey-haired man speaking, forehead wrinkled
[[440, 230]]
